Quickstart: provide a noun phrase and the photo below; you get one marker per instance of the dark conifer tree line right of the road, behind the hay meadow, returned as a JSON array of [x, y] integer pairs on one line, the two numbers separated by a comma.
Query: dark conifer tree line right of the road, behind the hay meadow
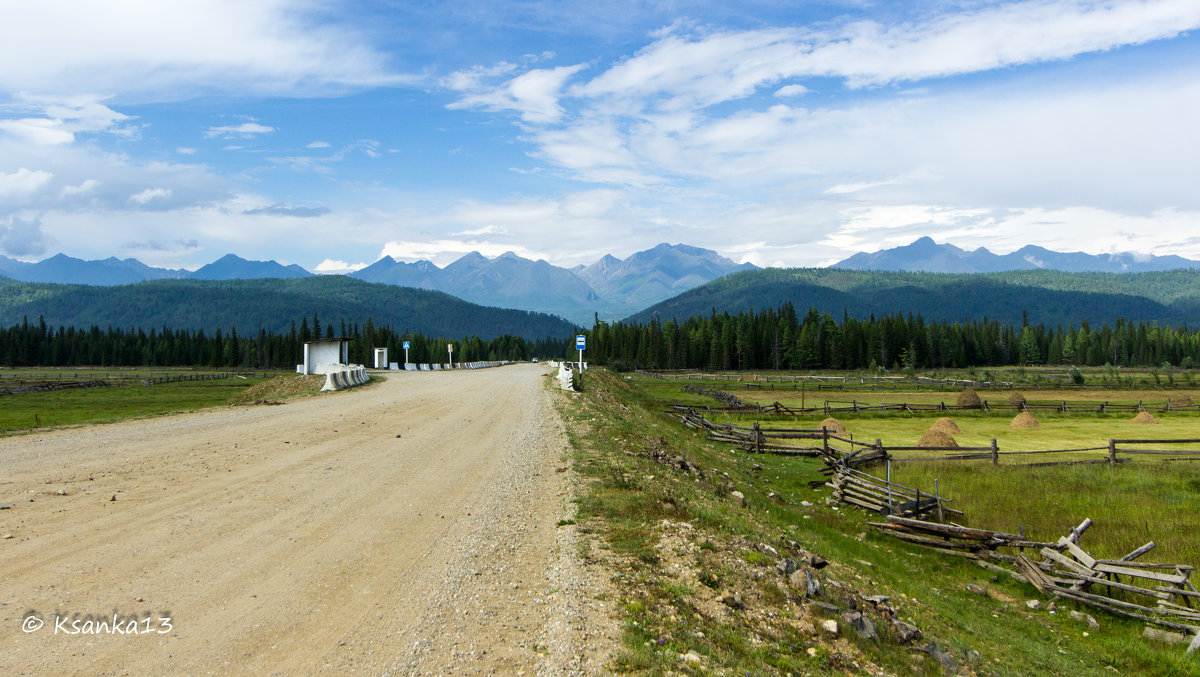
[[782, 340]]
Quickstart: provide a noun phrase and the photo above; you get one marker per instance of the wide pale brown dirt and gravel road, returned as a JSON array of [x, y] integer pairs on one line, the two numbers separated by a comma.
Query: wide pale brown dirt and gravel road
[[410, 528]]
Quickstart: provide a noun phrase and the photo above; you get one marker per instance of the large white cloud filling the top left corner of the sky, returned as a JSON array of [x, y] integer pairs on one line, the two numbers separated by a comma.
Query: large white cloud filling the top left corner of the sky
[[136, 49]]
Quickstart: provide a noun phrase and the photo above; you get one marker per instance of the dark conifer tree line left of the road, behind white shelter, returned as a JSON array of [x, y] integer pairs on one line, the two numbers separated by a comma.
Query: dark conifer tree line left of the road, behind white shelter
[[39, 345]]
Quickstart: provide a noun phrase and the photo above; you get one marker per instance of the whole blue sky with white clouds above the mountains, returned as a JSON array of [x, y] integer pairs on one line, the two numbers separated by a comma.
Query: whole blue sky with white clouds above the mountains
[[783, 134]]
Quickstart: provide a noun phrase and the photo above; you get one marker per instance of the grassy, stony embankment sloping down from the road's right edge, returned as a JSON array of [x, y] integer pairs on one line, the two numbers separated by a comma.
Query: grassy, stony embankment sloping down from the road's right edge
[[668, 601]]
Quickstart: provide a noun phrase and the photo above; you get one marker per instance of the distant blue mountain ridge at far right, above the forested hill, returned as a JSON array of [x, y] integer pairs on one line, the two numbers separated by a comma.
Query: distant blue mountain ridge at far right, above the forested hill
[[927, 256]]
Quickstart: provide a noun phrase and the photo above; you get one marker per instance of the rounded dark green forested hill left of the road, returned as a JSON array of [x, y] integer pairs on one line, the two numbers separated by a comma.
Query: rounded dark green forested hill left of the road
[[273, 305]]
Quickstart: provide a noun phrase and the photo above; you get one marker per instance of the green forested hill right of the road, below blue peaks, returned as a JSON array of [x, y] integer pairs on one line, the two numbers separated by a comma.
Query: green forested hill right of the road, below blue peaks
[[1046, 297]]
